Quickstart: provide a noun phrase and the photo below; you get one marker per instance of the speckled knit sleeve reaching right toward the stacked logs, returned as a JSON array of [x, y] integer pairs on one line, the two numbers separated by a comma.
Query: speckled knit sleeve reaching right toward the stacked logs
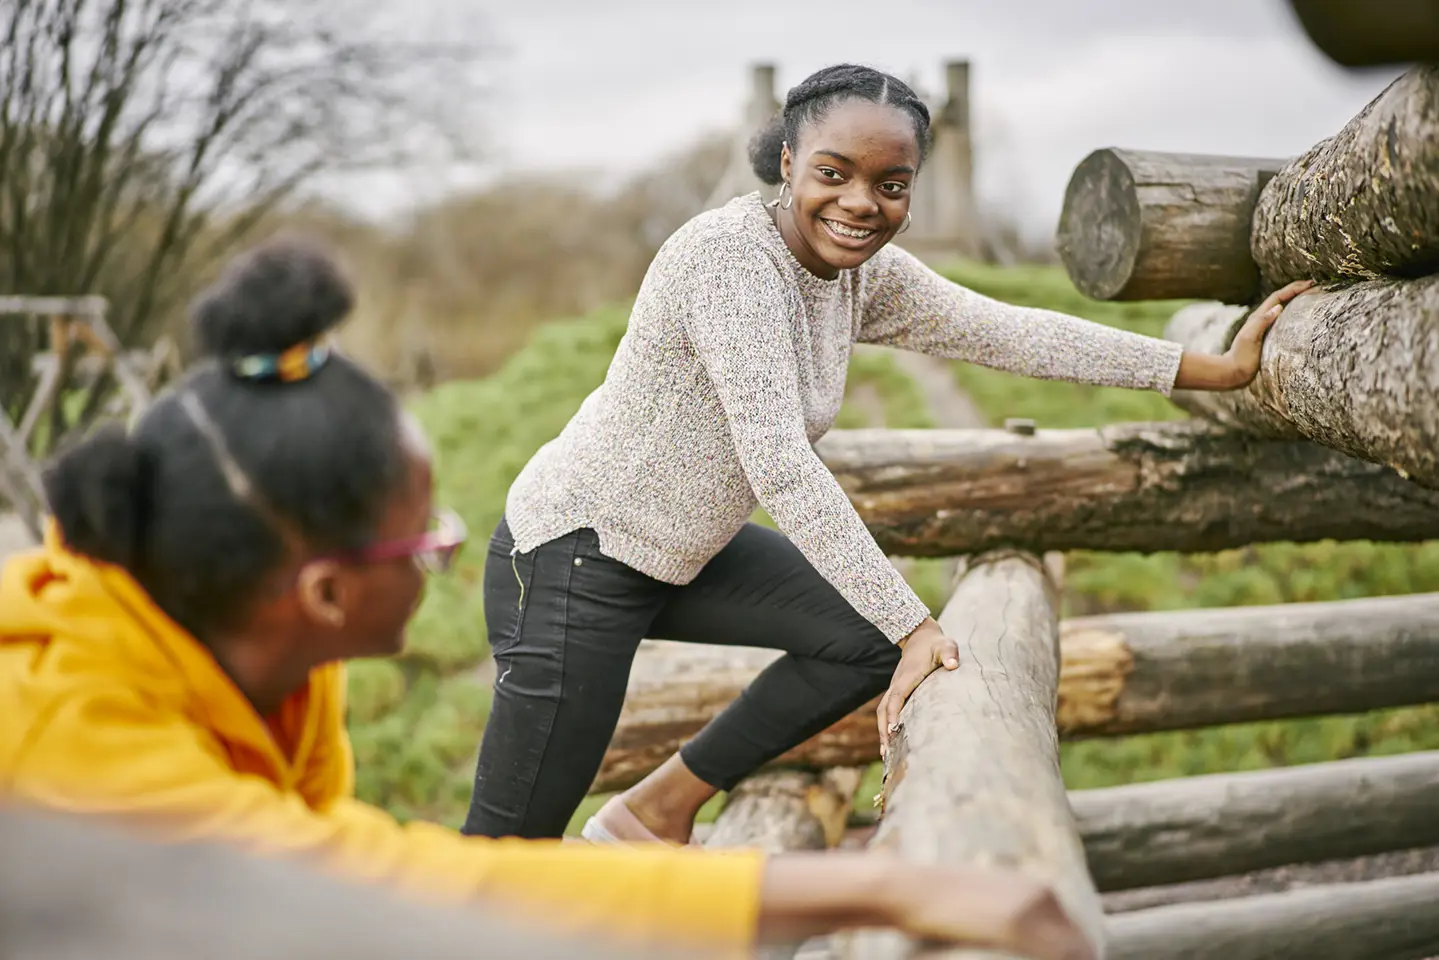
[[910, 306]]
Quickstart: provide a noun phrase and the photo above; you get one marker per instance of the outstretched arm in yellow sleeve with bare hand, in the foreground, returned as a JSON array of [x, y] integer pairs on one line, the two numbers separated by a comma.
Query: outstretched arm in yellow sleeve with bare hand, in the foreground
[[112, 755]]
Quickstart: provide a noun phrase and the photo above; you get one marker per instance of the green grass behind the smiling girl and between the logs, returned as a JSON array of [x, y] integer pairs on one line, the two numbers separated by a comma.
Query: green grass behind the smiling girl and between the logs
[[417, 722]]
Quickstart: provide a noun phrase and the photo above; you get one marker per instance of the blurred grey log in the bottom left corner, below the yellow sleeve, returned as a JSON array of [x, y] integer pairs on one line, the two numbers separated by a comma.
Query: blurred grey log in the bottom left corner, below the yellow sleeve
[[73, 890]]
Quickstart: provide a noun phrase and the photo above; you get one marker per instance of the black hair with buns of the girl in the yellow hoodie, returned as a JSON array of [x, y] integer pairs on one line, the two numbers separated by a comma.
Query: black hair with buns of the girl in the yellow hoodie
[[222, 476]]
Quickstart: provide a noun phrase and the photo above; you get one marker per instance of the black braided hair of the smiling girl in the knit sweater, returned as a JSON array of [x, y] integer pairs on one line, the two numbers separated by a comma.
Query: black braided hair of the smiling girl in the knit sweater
[[822, 91]]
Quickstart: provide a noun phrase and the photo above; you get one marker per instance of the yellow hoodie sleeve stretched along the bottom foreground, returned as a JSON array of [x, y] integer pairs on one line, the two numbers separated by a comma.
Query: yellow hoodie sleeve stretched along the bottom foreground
[[110, 755]]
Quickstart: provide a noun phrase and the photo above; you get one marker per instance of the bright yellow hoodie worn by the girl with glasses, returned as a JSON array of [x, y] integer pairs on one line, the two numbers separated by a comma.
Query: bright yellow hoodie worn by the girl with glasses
[[109, 709]]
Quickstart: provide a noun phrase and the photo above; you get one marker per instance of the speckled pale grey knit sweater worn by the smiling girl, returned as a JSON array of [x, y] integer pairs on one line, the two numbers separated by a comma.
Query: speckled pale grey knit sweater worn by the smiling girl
[[735, 365]]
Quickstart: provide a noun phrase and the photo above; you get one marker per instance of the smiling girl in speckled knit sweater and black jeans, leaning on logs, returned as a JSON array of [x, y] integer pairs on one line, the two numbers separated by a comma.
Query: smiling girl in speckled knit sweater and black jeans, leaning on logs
[[634, 523]]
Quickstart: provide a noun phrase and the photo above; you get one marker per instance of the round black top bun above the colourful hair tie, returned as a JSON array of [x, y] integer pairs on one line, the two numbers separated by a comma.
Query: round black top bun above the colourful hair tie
[[270, 300]]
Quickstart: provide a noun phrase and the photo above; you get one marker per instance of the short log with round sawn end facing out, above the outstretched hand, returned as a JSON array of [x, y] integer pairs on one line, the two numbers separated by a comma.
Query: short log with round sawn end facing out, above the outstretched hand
[[1162, 227]]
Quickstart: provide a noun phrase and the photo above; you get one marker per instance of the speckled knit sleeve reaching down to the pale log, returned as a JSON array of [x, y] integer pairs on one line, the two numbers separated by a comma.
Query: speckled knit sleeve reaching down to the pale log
[[740, 323]]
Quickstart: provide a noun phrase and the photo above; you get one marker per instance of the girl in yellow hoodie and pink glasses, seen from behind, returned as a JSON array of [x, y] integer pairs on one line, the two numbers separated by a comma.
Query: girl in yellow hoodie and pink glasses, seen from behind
[[172, 657]]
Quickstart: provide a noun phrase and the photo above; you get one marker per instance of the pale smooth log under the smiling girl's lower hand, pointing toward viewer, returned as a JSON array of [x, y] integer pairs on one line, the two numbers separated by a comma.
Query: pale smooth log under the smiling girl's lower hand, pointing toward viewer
[[972, 778]]
